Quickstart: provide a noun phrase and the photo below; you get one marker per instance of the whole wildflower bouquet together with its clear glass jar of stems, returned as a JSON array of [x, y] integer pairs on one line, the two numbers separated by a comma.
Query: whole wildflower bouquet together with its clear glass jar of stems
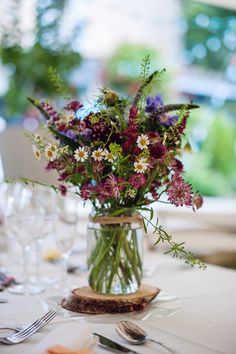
[[122, 156]]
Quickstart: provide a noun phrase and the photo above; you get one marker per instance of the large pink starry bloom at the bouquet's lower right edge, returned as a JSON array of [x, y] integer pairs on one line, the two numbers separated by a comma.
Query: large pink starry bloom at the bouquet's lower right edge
[[179, 192]]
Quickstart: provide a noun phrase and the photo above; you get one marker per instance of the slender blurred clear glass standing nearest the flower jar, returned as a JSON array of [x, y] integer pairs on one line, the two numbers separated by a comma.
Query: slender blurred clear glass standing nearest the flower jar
[[65, 233]]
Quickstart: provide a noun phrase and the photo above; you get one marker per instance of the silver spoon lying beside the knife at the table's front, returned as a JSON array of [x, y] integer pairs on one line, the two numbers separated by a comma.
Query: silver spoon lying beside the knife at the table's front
[[136, 335]]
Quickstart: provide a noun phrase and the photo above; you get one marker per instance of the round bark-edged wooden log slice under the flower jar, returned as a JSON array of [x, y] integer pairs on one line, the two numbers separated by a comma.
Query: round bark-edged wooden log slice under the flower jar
[[84, 300]]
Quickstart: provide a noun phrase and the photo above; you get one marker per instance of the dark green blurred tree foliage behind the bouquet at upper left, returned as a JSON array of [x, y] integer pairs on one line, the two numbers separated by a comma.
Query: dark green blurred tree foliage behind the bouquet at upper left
[[31, 74]]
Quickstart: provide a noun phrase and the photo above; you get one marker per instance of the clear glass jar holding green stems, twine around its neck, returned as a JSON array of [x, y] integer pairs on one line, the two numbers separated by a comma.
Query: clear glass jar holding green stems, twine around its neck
[[115, 254]]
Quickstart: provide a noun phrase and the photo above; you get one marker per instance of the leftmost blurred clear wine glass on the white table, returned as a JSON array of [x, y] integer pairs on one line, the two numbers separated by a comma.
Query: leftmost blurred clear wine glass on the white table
[[23, 227]]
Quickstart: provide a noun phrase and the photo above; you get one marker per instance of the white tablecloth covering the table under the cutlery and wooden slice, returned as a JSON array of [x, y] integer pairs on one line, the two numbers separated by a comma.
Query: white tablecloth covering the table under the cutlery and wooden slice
[[195, 314]]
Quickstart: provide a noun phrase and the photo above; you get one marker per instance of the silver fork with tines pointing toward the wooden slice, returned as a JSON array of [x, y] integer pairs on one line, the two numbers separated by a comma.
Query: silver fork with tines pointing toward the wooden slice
[[26, 332]]
